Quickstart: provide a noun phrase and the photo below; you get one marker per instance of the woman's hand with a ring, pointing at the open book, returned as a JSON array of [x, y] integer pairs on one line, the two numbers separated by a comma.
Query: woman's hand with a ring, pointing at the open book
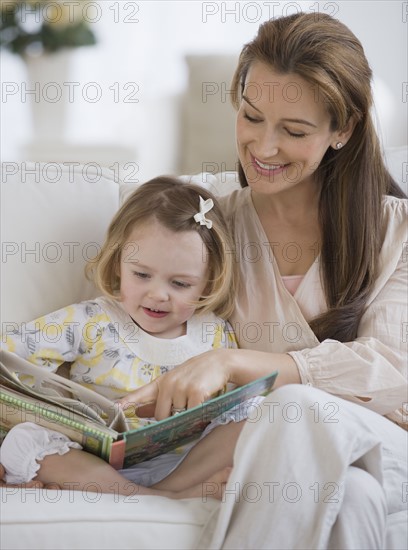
[[184, 387]]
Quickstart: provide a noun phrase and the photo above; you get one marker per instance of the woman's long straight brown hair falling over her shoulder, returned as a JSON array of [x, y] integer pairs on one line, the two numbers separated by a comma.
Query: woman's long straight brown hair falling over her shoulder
[[353, 180]]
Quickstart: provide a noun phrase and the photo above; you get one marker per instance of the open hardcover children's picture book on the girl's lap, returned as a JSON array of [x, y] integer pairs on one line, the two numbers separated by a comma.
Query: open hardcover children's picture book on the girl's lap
[[29, 393]]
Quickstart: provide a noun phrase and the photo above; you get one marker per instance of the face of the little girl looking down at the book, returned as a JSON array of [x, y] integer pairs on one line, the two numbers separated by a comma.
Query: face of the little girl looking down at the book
[[161, 274]]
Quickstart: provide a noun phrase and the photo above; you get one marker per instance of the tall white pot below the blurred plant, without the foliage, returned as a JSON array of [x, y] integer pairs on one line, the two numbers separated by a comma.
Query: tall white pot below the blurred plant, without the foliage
[[48, 93]]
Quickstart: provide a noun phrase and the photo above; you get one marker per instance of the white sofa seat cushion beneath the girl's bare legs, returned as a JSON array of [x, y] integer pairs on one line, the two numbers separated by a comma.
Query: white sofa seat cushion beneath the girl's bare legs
[[99, 521]]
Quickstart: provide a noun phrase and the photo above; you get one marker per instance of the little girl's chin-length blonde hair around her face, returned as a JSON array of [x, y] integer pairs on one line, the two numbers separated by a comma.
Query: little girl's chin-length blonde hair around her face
[[173, 204]]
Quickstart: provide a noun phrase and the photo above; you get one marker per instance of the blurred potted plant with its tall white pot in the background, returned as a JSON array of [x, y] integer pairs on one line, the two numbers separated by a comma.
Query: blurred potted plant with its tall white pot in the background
[[44, 34]]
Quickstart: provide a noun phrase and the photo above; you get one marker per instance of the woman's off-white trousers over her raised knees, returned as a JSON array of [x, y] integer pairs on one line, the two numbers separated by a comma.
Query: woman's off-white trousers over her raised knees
[[314, 471]]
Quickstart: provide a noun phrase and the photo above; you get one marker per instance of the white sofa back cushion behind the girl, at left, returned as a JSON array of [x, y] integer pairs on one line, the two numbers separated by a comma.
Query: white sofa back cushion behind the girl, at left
[[53, 218]]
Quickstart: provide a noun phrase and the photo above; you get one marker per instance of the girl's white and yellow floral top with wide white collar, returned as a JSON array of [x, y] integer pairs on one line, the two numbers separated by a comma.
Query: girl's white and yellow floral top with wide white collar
[[106, 350]]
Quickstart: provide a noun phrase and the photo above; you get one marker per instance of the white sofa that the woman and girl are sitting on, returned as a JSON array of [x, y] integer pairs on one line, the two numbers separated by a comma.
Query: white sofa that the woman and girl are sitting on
[[53, 218]]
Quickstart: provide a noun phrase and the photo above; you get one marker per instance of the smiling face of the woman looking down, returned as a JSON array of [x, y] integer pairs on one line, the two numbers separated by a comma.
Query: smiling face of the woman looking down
[[282, 129]]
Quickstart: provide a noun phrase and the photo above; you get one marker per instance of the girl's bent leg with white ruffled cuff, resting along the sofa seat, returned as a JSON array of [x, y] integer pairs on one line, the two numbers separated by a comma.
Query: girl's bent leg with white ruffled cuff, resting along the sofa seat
[[35, 456]]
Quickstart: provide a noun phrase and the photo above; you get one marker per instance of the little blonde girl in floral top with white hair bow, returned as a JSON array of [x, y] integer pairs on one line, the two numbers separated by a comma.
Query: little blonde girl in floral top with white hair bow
[[166, 271]]
